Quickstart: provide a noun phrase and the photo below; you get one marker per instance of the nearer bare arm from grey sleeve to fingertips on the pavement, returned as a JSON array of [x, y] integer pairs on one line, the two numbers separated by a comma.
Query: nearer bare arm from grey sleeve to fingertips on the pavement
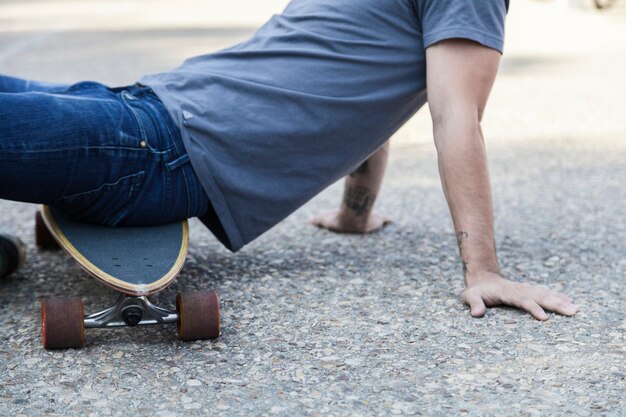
[[460, 75]]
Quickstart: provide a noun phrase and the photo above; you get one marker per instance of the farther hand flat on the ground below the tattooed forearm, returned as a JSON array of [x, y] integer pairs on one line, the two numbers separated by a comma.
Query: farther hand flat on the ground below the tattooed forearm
[[337, 221]]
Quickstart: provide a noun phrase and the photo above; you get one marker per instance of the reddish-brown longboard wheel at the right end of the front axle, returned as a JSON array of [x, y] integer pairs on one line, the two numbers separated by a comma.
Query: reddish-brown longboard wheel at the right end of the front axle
[[199, 315]]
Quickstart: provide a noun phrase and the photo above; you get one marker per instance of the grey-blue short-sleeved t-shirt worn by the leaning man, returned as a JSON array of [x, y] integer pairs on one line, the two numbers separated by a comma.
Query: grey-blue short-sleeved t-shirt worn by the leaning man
[[271, 122]]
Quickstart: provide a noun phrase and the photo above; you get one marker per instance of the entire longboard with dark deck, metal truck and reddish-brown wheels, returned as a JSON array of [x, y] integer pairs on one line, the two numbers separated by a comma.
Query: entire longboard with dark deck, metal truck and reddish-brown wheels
[[135, 261]]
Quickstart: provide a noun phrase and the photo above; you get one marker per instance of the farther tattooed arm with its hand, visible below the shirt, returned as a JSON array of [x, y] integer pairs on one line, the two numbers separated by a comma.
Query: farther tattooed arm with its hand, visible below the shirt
[[360, 191]]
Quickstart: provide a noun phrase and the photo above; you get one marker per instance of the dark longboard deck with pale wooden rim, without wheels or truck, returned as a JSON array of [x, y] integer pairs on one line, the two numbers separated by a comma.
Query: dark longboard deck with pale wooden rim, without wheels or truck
[[133, 260]]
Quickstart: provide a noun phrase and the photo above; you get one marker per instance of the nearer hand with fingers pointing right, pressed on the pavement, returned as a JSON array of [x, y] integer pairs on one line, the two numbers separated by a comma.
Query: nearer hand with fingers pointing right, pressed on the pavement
[[489, 290]]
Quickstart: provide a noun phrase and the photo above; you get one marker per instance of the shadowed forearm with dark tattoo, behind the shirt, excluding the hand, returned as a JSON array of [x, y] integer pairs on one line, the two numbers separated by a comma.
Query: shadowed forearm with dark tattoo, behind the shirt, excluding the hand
[[362, 187]]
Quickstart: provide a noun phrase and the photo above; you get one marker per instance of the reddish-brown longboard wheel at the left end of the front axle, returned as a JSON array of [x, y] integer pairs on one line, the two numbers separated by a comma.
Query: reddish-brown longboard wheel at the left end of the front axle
[[62, 323]]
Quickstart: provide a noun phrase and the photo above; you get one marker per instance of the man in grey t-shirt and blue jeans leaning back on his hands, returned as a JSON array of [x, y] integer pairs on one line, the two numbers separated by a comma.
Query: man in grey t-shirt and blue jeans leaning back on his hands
[[245, 136]]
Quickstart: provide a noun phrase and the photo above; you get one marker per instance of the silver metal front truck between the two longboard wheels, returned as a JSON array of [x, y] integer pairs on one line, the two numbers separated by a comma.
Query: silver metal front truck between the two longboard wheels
[[131, 311]]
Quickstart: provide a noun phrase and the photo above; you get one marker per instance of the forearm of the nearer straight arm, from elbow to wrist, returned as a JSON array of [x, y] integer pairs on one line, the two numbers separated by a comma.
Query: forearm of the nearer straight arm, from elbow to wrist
[[465, 180]]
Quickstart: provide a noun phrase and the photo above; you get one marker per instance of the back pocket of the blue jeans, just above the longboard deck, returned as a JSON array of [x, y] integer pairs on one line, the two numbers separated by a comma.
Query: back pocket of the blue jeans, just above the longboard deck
[[108, 204]]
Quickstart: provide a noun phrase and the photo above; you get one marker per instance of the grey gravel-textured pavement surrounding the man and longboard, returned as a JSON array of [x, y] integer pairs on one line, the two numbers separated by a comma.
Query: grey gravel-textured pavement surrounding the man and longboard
[[317, 324]]
